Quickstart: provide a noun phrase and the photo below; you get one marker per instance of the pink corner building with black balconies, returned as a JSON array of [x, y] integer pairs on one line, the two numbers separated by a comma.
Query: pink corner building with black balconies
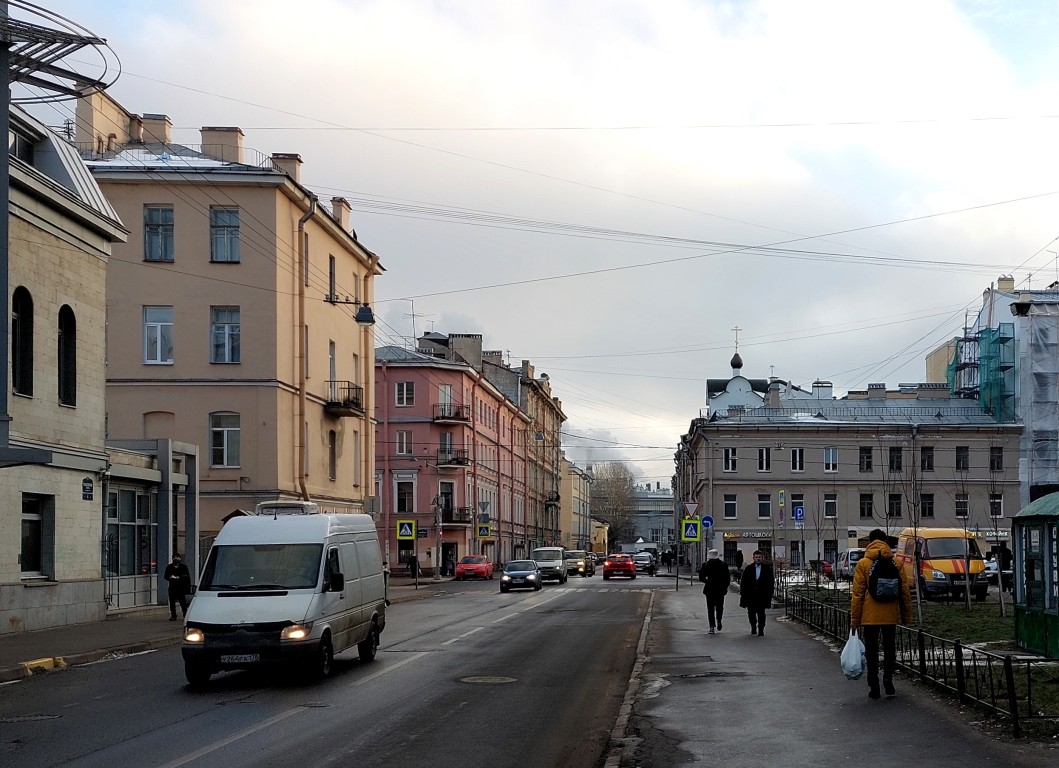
[[452, 458]]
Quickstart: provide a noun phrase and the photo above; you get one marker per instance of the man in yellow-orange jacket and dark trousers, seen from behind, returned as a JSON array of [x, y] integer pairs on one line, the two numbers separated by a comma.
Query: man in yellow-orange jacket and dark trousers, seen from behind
[[878, 618]]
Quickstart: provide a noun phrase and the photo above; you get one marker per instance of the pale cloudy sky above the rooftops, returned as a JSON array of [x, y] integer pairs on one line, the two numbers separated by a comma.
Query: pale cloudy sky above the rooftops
[[609, 189]]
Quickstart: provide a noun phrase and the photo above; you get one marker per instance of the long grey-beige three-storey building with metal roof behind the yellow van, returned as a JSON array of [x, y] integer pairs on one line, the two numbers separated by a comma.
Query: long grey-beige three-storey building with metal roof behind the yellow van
[[807, 477]]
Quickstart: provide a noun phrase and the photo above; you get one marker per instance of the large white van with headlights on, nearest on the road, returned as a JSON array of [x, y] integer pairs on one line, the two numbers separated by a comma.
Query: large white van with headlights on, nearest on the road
[[281, 587]]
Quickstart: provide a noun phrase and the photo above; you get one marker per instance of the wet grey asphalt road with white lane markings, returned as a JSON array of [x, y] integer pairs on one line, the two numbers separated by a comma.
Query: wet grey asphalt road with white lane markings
[[470, 678]]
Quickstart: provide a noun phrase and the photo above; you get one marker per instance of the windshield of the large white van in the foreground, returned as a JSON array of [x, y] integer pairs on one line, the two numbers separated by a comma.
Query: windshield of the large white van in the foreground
[[262, 567]]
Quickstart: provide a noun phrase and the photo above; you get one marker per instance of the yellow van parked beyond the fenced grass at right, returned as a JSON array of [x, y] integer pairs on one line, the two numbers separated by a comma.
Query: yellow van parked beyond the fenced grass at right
[[950, 561]]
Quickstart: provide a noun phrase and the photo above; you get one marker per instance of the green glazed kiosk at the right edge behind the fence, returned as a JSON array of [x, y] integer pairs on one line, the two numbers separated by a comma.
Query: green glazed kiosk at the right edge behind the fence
[[1035, 532]]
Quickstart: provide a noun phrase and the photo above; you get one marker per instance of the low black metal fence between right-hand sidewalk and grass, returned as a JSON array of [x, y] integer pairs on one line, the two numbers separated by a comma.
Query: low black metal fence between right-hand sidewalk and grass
[[1016, 687]]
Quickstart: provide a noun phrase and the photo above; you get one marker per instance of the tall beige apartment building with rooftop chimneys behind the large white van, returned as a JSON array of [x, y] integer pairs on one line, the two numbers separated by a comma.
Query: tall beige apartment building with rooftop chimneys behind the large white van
[[238, 315]]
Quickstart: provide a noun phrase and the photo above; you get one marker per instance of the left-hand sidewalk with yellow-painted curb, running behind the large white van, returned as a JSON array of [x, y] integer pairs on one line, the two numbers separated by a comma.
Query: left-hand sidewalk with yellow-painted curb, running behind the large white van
[[125, 632]]
